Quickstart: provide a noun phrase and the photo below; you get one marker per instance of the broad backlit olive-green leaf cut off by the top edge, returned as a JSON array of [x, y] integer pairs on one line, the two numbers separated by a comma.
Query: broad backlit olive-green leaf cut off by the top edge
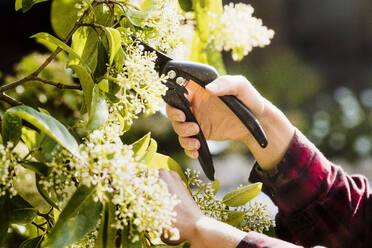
[[63, 16]]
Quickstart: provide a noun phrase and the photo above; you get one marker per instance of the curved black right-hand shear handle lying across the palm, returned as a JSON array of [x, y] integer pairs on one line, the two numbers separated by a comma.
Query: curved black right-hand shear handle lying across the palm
[[248, 119]]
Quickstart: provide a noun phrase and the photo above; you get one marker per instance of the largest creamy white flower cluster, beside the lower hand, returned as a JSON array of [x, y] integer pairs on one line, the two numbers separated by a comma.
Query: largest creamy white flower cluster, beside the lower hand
[[141, 198]]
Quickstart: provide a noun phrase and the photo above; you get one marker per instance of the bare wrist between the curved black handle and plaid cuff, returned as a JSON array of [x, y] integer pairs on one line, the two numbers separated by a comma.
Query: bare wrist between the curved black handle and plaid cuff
[[279, 133]]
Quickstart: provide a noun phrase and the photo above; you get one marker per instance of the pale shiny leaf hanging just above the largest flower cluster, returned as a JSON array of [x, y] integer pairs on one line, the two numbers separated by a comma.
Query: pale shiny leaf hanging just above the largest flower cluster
[[98, 113]]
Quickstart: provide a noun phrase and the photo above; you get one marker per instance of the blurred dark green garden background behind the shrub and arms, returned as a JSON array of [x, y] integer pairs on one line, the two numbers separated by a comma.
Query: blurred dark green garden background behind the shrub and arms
[[317, 70]]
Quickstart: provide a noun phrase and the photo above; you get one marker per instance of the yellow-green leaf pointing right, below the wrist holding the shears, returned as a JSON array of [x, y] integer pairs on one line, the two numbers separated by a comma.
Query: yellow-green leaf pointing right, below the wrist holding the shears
[[241, 196]]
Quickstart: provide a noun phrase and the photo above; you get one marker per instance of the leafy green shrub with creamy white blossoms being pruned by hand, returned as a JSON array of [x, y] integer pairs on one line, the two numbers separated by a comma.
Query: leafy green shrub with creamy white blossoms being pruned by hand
[[99, 191]]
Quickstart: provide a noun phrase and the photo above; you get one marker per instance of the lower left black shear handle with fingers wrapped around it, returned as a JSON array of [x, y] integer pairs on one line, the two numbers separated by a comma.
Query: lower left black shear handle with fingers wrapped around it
[[179, 101]]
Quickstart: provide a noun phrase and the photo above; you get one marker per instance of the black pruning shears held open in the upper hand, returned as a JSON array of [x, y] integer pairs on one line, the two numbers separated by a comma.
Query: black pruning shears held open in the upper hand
[[180, 73]]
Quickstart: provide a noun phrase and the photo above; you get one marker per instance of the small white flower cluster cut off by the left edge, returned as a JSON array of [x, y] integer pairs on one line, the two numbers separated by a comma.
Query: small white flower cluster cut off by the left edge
[[8, 164]]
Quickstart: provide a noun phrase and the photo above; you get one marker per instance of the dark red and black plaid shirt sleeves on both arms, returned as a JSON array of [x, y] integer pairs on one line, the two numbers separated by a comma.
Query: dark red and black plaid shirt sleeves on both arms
[[318, 203]]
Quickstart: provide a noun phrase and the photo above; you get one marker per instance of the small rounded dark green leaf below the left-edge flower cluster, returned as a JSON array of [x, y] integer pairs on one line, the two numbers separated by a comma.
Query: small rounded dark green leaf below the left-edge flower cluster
[[20, 211]]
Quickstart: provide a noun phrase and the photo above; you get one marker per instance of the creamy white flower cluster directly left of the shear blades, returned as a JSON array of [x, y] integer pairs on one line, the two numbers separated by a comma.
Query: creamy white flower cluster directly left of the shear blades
[[141, 86]]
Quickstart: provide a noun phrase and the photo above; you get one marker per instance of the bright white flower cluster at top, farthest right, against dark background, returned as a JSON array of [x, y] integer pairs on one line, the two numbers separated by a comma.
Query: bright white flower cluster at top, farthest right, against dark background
[[239, 31]]
